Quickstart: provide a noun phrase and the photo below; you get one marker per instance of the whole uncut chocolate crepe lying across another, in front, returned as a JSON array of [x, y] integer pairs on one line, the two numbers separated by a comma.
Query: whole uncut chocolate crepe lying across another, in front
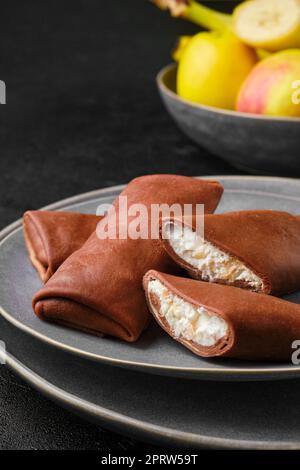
[[99, 288]]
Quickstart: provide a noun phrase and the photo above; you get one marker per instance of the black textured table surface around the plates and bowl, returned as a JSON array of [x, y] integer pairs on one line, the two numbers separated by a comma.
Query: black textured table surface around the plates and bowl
[[82, 113]]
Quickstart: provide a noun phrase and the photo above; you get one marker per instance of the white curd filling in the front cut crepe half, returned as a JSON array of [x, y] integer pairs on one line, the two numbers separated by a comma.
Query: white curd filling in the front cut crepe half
[[186, 320]]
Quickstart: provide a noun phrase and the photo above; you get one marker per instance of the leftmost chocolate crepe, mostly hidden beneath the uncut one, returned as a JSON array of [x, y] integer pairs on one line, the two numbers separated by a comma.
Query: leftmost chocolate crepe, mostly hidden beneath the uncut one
[[51, 237]]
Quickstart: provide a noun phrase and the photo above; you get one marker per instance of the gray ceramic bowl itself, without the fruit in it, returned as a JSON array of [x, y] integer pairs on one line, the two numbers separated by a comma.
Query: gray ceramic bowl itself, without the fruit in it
[[257, 144]]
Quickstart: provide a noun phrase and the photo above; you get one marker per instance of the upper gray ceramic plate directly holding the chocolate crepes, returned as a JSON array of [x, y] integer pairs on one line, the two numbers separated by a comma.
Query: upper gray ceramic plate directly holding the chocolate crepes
[[155, 352]]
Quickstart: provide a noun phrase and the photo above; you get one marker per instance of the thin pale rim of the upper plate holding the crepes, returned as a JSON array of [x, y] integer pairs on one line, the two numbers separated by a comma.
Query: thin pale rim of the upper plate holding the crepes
[[244, 373]]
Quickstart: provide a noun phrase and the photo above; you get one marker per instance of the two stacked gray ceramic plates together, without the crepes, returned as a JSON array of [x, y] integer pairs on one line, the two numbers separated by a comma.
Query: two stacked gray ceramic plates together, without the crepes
[[155, 389]]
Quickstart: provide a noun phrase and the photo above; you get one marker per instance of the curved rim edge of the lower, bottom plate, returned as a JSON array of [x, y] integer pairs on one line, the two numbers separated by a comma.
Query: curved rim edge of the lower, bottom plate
[[120, 422]]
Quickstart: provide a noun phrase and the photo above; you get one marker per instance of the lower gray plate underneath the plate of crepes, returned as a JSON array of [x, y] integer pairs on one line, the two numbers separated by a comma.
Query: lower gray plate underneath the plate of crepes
[[161, 410]]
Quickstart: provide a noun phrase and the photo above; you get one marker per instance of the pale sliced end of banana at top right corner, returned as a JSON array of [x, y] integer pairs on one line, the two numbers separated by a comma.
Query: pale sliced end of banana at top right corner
[[272, 25]]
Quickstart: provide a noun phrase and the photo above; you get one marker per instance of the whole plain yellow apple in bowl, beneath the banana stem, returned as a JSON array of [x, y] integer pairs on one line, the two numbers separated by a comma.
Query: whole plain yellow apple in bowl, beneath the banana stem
[[212, 68]]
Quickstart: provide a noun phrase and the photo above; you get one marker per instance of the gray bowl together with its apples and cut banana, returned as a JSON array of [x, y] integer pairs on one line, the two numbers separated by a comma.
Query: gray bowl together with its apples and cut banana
[[235, 89]]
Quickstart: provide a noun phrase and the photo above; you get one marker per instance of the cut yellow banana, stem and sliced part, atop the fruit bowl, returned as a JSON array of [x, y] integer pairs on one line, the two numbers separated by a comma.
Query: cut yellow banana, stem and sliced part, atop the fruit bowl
[[269, 25]]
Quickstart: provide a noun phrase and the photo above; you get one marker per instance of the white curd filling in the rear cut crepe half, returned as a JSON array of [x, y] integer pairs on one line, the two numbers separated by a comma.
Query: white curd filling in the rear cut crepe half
[[213, 263]]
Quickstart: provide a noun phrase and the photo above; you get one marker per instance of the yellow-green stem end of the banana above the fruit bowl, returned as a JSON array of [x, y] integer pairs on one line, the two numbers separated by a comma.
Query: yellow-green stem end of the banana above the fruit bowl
[[197, 13]]
